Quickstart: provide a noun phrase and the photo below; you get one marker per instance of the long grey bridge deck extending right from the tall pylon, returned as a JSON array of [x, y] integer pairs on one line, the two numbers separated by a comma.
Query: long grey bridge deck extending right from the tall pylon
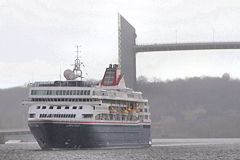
[[187, 46]]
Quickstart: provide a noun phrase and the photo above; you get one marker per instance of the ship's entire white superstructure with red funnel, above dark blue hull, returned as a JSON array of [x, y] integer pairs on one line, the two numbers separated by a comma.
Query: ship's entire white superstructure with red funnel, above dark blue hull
[[75, 100]]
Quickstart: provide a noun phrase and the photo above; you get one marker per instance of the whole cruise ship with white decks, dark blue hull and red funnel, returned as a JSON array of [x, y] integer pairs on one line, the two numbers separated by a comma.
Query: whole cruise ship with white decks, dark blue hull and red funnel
[[83, 114]]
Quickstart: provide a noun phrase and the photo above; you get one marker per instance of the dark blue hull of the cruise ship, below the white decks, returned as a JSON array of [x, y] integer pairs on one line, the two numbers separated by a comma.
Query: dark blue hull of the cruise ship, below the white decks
[[56, 135]]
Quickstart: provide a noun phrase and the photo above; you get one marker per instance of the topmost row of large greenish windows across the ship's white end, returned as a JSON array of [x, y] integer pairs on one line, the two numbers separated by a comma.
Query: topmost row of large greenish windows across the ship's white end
[[60, 92]]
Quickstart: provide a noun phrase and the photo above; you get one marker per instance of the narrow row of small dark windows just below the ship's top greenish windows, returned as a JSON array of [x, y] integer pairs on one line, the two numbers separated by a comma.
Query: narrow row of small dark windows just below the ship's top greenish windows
[[63, 99]]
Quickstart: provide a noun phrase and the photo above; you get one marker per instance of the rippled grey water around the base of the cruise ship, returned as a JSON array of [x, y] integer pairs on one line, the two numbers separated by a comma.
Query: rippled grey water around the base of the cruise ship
[[175, 149]]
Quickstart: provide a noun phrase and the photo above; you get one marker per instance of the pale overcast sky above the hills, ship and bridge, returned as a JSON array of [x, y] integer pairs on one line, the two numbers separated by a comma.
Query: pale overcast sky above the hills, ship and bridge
[[39, 36]]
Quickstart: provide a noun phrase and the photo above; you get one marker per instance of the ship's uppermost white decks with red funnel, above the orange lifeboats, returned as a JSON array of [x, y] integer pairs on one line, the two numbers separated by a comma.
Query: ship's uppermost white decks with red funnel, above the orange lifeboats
[[111, 88]]
